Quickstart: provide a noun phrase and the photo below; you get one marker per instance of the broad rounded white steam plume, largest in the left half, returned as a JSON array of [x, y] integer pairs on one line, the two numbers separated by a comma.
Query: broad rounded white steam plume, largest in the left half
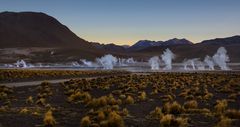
[[107, 61]]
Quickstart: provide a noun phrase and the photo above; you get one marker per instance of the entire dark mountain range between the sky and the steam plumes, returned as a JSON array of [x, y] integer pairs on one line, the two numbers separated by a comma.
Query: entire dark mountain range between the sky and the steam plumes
[[38, 37]]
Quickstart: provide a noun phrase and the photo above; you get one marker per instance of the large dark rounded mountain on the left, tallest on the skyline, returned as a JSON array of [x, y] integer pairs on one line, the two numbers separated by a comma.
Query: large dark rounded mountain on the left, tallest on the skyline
[[35, 29]]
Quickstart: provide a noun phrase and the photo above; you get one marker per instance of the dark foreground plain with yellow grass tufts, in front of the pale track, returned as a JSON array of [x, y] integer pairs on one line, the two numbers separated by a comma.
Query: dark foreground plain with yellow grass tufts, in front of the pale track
[[128, 99]]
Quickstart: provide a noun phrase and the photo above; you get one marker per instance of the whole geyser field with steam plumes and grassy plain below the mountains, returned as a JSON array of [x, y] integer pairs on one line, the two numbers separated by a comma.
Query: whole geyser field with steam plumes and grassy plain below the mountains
[[118, 92]]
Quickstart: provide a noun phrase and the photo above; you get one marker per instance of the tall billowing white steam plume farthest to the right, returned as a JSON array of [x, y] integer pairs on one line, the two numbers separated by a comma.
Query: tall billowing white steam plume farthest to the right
[[221, 57]]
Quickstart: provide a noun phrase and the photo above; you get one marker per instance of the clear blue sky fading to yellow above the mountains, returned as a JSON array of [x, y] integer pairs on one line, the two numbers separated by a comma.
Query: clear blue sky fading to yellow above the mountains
[[124, 22]]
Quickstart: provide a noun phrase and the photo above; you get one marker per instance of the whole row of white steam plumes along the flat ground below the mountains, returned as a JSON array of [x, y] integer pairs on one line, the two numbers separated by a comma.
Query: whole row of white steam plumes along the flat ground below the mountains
[[220, 58]]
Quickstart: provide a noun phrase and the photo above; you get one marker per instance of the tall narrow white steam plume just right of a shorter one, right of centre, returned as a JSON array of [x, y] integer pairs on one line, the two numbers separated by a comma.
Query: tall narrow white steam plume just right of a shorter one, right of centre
[[167, 58]]
